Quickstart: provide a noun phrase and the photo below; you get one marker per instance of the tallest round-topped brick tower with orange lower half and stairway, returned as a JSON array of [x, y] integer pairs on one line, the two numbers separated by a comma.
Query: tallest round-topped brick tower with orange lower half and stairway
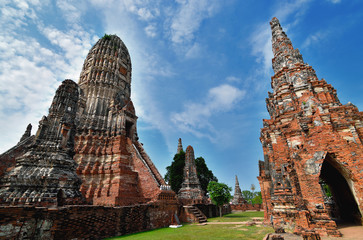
[[113, 166]]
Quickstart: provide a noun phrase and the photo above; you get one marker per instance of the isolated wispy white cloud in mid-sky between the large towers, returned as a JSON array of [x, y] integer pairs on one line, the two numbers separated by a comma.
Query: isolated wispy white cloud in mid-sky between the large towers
[[196, 116]]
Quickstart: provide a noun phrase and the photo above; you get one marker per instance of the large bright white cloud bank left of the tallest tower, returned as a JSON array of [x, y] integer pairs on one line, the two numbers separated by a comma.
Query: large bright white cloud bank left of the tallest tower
[[31, 72]]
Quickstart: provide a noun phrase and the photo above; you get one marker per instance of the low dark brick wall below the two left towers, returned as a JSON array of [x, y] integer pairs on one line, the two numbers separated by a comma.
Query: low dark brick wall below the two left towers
[[82, 222]]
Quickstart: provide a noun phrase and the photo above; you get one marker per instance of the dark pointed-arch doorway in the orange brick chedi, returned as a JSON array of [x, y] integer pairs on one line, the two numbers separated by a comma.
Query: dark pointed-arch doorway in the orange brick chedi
[[339, 199]]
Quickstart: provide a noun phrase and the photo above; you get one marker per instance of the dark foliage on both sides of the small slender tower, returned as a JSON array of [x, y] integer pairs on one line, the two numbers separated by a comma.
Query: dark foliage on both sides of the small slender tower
[[175, 172]]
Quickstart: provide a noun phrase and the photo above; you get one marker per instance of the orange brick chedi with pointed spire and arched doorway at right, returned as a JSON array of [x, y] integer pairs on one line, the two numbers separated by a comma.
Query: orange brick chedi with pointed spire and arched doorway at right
[[313, 159]]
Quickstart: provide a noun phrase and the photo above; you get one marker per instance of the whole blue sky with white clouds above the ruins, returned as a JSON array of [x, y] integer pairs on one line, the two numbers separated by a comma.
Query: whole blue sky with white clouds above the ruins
[[201, 69]]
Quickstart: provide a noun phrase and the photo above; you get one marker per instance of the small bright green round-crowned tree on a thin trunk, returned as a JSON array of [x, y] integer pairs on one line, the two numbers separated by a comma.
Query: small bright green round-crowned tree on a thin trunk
[[219, 194]]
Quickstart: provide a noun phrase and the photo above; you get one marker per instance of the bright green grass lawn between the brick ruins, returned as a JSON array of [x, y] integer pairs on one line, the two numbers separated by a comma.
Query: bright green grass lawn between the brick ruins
[[215, 231]]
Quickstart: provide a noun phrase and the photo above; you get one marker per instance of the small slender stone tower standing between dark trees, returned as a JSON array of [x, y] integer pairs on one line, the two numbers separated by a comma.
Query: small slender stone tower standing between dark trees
[[191, 191]]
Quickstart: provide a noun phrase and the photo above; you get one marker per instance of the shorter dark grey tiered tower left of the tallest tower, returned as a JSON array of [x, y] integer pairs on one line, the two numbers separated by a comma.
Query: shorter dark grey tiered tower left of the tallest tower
[[45, 175]]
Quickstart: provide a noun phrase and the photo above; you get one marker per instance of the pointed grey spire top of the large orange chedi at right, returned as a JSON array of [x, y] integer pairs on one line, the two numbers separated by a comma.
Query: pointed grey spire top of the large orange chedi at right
[[284, 53]]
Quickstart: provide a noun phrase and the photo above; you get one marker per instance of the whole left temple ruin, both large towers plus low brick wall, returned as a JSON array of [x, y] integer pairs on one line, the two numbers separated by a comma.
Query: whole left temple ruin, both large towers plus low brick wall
[[85, 174]]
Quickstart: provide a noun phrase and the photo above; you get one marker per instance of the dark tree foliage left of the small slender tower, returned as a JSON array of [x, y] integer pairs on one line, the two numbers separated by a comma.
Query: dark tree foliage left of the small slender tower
[[175, 172]]
